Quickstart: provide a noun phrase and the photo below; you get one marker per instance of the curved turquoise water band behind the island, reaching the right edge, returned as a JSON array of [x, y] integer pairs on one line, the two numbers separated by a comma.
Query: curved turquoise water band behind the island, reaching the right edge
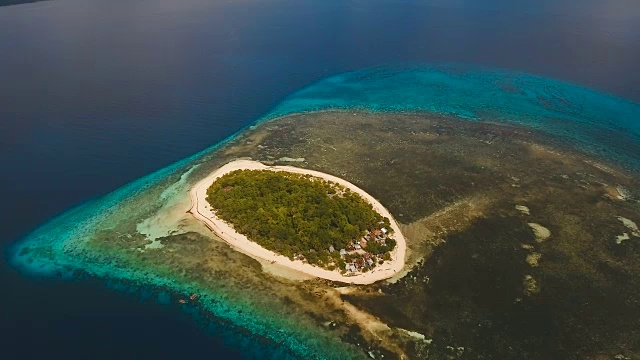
[[592, 121]]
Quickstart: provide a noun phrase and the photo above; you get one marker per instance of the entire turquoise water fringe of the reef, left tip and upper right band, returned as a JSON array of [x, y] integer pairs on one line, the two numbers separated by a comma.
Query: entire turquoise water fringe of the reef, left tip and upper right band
[[598, 123]]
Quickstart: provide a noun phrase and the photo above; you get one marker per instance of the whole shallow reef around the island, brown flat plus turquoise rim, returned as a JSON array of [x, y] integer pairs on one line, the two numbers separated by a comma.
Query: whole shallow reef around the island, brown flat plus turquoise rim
[[521, 242]]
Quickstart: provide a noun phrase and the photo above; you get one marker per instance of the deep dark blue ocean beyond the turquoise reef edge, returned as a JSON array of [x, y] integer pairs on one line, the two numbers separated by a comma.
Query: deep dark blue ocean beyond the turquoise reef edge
[[99, 93]]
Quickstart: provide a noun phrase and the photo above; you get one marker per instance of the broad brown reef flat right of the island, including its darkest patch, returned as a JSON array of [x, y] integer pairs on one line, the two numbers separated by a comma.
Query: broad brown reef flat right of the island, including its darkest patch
[[484, 287]]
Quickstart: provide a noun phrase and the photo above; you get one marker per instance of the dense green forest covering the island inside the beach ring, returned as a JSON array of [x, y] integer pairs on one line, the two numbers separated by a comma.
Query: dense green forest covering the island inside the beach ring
[[295, 214]]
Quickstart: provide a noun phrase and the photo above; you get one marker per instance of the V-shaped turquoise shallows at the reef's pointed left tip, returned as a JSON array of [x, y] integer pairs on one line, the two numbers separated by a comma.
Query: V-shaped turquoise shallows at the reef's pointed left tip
[[60, 251]]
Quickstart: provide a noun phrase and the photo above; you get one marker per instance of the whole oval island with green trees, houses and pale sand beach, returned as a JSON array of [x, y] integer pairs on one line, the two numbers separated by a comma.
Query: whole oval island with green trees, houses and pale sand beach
[[302, 219]]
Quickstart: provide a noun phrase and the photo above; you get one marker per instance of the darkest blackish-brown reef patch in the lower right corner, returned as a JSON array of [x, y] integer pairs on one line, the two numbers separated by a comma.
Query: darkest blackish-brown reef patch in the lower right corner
[[469, 293]]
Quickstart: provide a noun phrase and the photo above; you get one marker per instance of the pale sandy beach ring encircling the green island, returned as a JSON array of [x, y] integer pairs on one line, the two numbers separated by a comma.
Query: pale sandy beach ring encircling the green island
[[201, 210]]
